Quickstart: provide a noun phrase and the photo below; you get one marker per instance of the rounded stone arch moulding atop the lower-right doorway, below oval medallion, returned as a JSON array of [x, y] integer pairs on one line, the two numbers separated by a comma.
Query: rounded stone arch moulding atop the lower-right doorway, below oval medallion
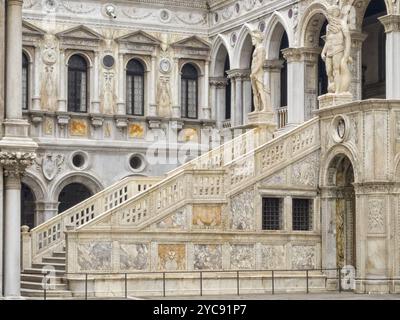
[[326, 177]]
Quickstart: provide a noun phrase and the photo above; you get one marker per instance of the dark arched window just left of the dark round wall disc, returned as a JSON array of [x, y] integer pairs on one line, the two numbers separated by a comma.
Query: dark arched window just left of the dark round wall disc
[[77, 84]]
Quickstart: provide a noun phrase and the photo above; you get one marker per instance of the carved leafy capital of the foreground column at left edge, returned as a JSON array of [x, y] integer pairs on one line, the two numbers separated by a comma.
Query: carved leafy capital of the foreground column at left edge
[[15, 163]]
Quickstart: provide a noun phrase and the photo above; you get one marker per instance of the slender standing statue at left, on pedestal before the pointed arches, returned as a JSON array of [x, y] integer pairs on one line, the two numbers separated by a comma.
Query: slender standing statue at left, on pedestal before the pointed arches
[[261, 94]]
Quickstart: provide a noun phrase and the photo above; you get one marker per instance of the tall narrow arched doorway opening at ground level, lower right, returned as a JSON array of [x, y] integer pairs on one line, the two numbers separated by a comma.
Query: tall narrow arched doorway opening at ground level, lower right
[[343, 215]]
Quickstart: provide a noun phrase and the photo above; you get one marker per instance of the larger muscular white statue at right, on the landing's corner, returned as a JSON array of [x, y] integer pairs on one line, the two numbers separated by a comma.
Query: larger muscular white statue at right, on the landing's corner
[[336, 52]]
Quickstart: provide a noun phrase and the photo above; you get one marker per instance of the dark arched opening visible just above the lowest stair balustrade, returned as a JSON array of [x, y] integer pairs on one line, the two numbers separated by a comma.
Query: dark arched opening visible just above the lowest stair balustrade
[[71, 195]]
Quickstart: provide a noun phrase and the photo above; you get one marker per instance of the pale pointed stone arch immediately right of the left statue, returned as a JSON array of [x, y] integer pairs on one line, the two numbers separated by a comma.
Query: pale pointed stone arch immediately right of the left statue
[[276, 27]]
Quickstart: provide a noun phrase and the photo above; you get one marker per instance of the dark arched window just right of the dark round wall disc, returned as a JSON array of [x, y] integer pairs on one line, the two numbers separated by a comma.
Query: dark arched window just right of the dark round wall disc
[[135, 88]]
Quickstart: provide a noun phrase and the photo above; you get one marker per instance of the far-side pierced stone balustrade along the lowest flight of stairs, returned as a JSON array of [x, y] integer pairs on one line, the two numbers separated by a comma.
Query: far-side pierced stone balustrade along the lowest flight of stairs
[[51, 233]]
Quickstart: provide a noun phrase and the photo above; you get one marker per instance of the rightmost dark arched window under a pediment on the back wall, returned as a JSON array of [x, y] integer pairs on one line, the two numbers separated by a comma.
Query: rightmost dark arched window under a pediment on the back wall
[[189, 91]]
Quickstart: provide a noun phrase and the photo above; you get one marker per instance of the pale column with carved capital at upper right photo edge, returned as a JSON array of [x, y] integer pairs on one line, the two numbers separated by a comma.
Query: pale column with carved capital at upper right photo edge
[[392, 29]]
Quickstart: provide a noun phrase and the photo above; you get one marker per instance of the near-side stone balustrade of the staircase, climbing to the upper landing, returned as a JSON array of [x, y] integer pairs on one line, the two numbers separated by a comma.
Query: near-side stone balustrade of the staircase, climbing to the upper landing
[[193, 183]]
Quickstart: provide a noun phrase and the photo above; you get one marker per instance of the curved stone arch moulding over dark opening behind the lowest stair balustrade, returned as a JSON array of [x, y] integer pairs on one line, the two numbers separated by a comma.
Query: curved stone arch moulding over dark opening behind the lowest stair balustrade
[[87, 179]]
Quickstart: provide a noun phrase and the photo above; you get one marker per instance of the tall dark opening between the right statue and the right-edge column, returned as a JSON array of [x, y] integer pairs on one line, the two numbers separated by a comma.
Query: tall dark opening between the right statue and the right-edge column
[[374, 52]]
